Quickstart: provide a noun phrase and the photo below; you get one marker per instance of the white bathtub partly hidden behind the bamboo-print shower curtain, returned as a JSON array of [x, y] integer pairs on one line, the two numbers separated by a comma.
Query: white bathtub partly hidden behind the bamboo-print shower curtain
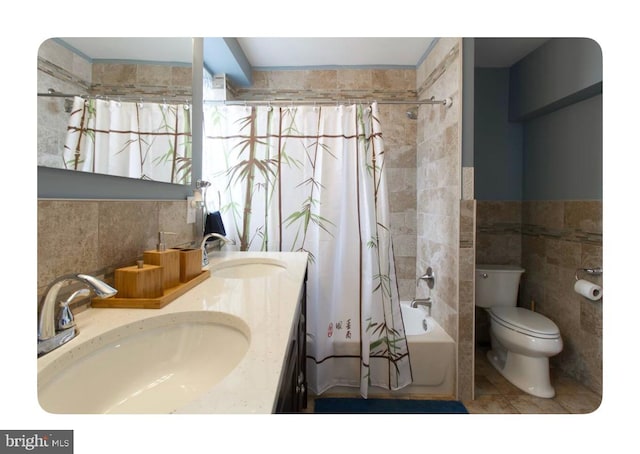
[[432, 353]]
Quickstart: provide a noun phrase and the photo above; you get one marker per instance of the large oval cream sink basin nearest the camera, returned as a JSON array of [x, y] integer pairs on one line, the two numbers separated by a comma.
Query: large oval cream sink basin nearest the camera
[[154, 365]]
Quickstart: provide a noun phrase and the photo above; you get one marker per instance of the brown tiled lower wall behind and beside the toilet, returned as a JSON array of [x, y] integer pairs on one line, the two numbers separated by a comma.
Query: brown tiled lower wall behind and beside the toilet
[[550, 240]]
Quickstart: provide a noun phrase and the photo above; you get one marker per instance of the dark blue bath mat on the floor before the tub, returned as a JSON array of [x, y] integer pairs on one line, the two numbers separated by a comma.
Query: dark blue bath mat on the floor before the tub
[[357, 405]]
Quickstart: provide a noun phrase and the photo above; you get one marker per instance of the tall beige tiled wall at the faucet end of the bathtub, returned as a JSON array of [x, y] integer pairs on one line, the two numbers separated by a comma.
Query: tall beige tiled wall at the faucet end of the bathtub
[[439, 180]]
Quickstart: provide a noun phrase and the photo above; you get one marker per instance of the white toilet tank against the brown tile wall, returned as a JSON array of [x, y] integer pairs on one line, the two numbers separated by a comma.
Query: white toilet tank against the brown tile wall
[[497, 285]]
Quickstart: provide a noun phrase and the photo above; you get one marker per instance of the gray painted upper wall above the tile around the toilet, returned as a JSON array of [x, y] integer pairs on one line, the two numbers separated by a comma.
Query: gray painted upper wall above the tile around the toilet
[[556, 95]]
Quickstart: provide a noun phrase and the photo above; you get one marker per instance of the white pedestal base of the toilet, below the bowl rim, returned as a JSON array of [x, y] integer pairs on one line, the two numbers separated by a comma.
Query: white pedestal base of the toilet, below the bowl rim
[[530, 374]]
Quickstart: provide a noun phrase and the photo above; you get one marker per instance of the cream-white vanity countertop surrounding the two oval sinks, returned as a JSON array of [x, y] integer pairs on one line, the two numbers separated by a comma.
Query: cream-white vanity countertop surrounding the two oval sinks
[[267, 304]]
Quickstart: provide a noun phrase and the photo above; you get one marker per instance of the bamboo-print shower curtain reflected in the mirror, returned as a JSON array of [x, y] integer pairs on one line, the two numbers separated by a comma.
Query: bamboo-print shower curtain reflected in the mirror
[[149, 141]]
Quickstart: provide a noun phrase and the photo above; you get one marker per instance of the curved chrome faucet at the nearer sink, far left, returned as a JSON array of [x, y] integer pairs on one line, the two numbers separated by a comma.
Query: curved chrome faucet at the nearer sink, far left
[[54, 332]]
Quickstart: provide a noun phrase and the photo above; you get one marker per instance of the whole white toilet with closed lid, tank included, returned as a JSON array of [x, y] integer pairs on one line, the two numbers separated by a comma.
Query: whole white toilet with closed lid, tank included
[[522, 341]]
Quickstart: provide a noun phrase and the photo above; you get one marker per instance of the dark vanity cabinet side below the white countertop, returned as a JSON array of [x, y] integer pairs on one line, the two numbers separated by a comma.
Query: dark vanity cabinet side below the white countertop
[[292, 394]]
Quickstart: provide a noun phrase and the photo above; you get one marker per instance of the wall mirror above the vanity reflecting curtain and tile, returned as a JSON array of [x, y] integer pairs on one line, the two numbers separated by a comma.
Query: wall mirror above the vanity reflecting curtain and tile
[[138, 86]]
